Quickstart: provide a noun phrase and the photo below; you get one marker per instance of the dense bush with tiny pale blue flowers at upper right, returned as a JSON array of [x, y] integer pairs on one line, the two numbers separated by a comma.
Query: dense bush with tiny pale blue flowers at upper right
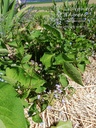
[[79, 17]]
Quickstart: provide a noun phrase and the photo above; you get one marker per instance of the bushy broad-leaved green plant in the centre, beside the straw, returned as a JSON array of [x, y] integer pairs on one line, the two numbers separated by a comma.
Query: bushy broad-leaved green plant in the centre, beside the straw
[[35, 72]]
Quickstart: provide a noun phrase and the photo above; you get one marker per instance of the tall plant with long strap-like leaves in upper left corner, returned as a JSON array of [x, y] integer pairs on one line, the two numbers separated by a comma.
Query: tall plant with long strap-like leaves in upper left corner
[[9, 14]]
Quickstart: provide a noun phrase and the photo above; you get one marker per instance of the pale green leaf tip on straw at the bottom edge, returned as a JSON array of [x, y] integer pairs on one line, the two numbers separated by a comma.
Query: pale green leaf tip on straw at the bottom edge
[[63, 124]]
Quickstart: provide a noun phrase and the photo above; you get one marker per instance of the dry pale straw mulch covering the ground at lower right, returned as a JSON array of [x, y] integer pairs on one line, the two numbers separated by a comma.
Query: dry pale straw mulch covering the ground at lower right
[[80, 108]]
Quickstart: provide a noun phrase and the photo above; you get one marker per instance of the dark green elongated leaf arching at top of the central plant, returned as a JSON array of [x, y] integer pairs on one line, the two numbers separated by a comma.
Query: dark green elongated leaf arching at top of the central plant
[[54, 31]]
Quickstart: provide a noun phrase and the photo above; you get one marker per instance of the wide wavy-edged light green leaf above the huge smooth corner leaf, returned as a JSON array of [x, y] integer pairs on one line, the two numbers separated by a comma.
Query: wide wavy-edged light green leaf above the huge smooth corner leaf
[[17, 74]]
